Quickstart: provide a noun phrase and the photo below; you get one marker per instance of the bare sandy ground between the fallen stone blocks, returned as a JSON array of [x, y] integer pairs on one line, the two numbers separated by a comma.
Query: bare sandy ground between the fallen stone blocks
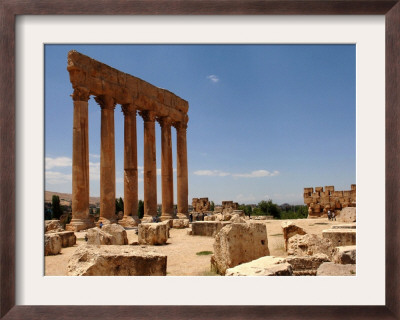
[[181, 248]]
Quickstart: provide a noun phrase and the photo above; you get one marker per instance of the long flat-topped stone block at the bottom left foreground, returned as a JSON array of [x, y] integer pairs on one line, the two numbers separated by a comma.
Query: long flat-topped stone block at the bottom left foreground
[[116, 261]]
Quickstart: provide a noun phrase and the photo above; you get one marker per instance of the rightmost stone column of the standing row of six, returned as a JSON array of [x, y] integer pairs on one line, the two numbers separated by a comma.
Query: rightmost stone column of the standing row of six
[[182, 170]]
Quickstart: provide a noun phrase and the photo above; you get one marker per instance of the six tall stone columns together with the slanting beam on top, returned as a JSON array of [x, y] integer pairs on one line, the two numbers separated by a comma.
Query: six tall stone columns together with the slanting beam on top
[[110, 87]]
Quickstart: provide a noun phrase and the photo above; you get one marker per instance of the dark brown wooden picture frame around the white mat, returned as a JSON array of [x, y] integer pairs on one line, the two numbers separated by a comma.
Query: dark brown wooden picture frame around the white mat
[[9, 9]]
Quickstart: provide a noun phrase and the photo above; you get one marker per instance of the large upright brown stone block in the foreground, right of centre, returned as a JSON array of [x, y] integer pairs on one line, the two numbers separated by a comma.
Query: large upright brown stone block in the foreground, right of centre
[[239, 243]]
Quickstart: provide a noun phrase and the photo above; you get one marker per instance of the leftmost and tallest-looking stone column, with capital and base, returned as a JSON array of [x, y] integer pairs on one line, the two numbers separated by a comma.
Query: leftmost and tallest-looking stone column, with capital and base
[[80, 163]]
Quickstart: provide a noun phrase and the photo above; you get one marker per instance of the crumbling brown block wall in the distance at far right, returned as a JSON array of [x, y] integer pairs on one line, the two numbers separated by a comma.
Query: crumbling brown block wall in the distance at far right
[[321, 200]]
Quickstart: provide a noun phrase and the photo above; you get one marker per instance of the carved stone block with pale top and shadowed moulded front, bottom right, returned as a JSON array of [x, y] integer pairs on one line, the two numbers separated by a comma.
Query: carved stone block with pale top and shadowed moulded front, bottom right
[[306, 265]]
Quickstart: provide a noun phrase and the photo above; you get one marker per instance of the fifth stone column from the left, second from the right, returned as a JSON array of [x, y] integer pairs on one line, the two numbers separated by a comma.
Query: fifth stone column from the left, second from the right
[[167, 178]]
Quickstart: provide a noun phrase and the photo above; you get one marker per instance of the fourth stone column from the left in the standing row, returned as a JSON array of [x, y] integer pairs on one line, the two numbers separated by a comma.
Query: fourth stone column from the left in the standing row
[[150, 167]]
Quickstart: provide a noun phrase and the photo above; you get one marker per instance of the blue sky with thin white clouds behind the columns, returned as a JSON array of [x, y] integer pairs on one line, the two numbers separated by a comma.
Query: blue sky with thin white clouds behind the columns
[[265, 121]]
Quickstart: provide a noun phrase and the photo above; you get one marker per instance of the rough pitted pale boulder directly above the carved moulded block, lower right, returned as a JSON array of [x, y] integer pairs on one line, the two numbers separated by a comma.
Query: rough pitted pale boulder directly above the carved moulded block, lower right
[[308, 245]]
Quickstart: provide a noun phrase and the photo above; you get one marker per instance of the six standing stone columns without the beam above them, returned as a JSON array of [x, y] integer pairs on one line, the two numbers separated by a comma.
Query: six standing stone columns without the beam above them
[[80, 174]]
